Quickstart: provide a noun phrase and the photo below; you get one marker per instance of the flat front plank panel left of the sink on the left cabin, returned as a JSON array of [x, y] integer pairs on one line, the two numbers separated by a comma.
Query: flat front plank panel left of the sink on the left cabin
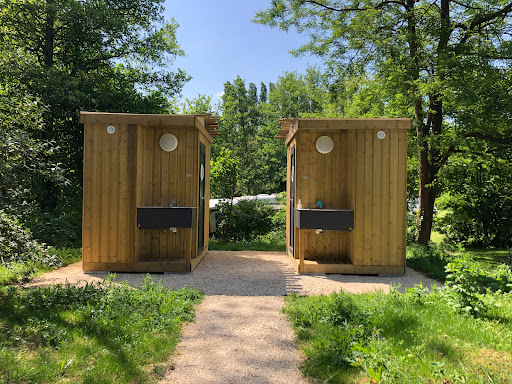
[[109, 195]]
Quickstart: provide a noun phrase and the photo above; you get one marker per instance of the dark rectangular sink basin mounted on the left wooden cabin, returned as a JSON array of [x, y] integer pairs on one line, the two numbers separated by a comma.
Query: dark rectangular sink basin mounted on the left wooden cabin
[[166, 217]]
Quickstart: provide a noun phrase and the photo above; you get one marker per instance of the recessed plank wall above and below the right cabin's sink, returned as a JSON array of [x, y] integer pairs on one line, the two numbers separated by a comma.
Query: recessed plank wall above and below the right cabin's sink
[[330, 178]]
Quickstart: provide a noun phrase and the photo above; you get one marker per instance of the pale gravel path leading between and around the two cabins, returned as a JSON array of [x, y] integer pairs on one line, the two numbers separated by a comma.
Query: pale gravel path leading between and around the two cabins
[[240, 334]]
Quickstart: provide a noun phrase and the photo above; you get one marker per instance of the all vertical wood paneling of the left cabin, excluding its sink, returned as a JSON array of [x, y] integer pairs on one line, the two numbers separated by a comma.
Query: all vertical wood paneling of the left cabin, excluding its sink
[[128, 169]]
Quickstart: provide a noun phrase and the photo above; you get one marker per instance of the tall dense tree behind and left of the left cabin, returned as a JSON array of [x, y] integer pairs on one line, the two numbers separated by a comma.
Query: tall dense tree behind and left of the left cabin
[[95, 55]]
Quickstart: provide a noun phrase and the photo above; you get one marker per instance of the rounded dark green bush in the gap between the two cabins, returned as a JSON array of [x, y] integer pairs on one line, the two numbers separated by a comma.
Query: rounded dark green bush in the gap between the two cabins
[[250, 219]]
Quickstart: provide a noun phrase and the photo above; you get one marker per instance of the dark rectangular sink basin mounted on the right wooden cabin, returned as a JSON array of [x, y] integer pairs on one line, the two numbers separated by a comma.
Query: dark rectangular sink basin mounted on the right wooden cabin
[[325, 219]]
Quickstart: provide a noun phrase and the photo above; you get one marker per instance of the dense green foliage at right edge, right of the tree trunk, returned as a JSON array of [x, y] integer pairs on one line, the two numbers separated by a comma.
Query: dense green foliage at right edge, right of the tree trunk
[[478, 199]]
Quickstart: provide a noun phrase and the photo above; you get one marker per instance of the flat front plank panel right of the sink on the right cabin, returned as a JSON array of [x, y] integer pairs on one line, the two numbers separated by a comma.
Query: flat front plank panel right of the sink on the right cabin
[[380, 199]]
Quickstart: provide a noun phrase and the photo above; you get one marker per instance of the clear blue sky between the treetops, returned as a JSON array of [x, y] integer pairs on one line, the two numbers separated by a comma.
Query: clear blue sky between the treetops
[[221, 42]]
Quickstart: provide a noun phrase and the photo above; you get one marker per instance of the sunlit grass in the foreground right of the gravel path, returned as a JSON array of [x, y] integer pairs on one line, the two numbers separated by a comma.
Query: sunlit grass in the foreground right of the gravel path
[[415, 337]]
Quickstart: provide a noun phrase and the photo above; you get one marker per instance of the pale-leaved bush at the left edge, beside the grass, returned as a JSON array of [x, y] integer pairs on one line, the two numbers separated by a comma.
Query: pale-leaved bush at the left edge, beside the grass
[[18, 247]]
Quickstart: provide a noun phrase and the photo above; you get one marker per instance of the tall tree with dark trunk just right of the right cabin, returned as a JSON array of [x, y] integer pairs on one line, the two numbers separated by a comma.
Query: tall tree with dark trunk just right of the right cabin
[[416, 54]]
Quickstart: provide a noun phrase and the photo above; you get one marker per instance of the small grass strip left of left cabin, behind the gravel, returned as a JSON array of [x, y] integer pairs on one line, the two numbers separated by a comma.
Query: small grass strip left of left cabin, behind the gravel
[[22, 272]]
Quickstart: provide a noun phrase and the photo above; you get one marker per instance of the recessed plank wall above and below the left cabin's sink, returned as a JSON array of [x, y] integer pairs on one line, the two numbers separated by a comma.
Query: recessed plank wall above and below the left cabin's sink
[[161, 177]]
